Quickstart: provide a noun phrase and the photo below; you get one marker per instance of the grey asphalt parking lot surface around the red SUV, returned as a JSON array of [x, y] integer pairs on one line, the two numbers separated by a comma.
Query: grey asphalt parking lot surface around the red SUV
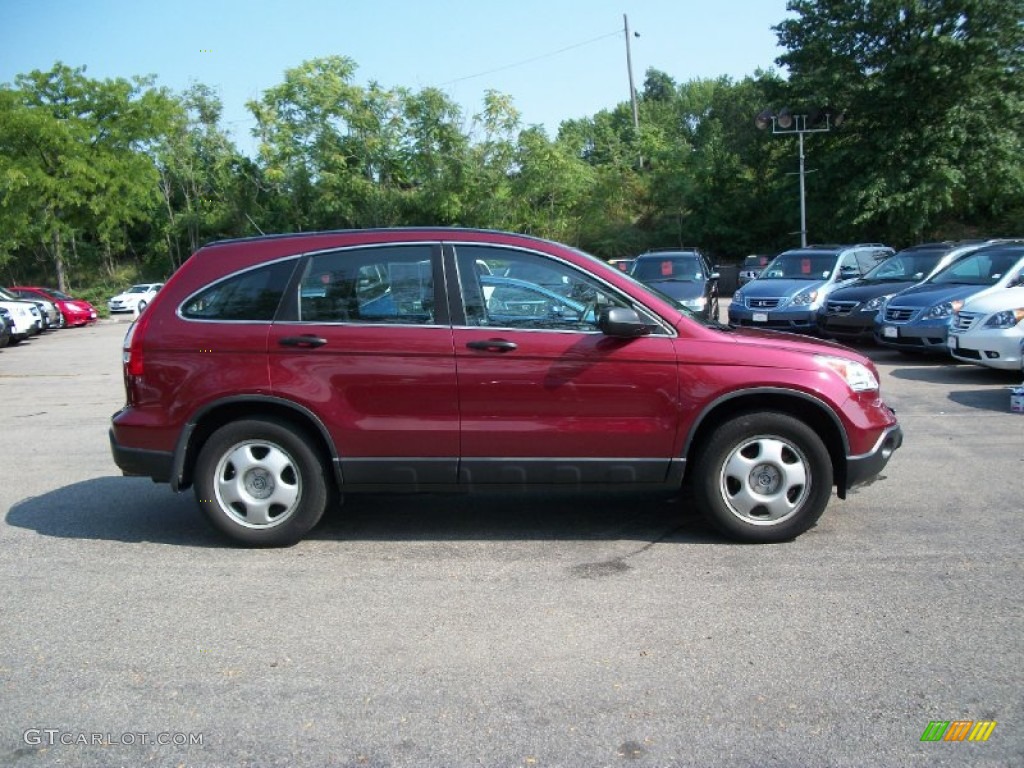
[[505, 631]]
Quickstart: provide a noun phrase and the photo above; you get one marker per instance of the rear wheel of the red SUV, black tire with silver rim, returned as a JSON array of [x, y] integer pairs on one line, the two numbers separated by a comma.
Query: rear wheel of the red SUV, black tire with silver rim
[[261, 483]]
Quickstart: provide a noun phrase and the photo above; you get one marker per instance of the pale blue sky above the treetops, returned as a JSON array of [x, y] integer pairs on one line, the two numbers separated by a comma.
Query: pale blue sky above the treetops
[[559, 60]]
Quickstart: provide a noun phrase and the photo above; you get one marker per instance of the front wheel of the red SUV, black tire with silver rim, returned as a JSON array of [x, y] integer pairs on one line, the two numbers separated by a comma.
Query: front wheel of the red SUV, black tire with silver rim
[[763, 478]]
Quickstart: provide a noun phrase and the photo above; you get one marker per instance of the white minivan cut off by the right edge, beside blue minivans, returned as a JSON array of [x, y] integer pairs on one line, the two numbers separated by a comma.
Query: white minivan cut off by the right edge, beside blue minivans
[[989, 330]]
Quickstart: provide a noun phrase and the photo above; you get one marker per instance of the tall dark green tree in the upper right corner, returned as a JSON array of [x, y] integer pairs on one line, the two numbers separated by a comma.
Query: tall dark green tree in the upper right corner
[[935, 103]]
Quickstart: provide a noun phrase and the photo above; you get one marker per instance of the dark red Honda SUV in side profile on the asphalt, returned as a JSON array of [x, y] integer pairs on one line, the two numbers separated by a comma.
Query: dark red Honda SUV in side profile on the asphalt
[[274, 374]]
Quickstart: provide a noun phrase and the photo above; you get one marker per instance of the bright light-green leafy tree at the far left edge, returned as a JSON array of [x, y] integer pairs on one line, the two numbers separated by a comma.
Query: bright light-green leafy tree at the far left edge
[[74, 163]]
